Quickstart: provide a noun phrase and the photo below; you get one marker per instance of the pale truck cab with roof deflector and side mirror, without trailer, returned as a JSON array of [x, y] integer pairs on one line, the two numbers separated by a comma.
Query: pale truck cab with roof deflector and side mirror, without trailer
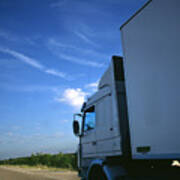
[[104, 125]]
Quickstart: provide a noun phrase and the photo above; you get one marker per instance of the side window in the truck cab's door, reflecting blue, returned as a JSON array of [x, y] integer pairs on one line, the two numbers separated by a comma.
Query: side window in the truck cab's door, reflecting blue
[[90, 119]]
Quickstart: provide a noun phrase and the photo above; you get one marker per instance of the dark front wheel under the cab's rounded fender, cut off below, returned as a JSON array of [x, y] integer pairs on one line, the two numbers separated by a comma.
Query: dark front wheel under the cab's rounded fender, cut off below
[[97, 174]]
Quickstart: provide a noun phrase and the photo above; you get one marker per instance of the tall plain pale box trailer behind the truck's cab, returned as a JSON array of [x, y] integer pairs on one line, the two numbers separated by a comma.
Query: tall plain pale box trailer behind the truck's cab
[[151, 46]]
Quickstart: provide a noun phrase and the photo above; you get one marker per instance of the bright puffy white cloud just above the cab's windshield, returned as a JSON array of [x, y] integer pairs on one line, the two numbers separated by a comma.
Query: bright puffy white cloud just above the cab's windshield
[[73, 97]]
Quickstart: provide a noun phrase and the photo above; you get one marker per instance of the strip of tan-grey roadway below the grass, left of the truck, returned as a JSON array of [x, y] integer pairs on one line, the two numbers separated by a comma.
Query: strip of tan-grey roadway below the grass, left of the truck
[[37, 173]]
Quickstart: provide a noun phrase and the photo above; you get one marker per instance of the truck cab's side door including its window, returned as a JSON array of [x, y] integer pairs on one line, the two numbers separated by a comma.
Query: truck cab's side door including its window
[[88, 139]]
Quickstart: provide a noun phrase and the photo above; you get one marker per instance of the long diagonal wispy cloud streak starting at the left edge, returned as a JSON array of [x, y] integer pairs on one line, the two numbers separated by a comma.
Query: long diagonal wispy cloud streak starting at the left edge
[[34, 63]]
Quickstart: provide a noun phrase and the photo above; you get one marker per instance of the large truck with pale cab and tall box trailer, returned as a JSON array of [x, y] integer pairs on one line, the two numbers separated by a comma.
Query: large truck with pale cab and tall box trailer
[[130, 128]]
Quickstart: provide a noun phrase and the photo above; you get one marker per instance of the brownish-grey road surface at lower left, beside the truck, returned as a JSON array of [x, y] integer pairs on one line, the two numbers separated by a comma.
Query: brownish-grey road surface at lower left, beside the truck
[[18, 174]]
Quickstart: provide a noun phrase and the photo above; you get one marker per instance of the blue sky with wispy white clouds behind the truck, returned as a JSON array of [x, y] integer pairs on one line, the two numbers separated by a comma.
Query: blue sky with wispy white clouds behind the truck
[[52, 53]]
